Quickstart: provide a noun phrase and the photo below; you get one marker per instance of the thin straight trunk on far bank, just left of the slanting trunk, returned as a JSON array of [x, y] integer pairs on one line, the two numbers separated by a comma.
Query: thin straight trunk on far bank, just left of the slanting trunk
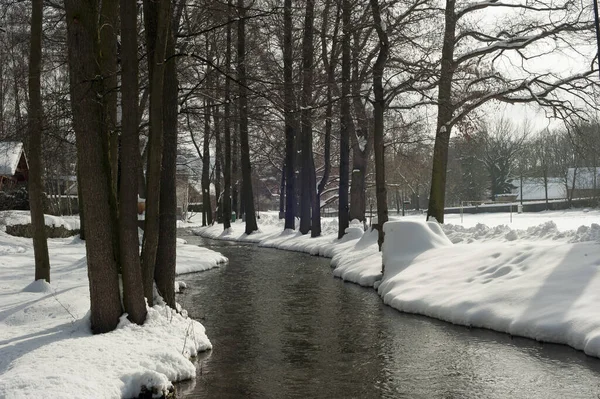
[[227, 129]]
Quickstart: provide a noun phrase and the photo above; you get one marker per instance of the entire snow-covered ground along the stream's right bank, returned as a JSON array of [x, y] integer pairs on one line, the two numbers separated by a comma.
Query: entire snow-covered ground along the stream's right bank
[[537, 277]]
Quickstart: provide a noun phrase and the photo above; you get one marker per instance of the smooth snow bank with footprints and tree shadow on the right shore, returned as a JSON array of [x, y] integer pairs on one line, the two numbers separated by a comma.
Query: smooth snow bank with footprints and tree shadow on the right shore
[[535, 289]]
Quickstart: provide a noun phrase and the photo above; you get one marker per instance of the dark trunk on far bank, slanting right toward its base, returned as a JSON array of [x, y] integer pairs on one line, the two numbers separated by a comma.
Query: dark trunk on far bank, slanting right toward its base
[[243, 123]]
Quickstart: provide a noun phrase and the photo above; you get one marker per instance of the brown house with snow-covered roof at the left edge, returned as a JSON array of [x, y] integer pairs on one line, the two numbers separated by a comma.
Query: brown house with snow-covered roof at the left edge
[[14, 169]]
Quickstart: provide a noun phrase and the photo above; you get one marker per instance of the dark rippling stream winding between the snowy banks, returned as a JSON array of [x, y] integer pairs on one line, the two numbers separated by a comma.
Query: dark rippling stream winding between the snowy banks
[[283, 327]]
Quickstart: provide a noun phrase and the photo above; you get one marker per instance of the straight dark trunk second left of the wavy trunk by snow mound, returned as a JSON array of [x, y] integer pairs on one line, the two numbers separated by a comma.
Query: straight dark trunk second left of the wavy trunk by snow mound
[[345, 122]]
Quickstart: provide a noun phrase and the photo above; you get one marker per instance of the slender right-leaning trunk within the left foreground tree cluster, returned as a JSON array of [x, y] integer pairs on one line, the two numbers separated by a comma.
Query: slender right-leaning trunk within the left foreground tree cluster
[[157, 18]]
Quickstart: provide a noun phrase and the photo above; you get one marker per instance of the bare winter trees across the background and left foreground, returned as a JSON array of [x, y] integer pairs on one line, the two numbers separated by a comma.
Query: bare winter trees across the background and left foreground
[[326, 103]]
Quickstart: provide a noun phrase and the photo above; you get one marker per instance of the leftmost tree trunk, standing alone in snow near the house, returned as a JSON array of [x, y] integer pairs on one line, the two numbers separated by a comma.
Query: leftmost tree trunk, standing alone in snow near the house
[[36, 169]]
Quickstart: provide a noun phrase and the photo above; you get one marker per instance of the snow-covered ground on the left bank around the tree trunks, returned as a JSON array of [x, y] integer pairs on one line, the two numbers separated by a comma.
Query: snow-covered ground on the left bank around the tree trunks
[[46, 347]]
